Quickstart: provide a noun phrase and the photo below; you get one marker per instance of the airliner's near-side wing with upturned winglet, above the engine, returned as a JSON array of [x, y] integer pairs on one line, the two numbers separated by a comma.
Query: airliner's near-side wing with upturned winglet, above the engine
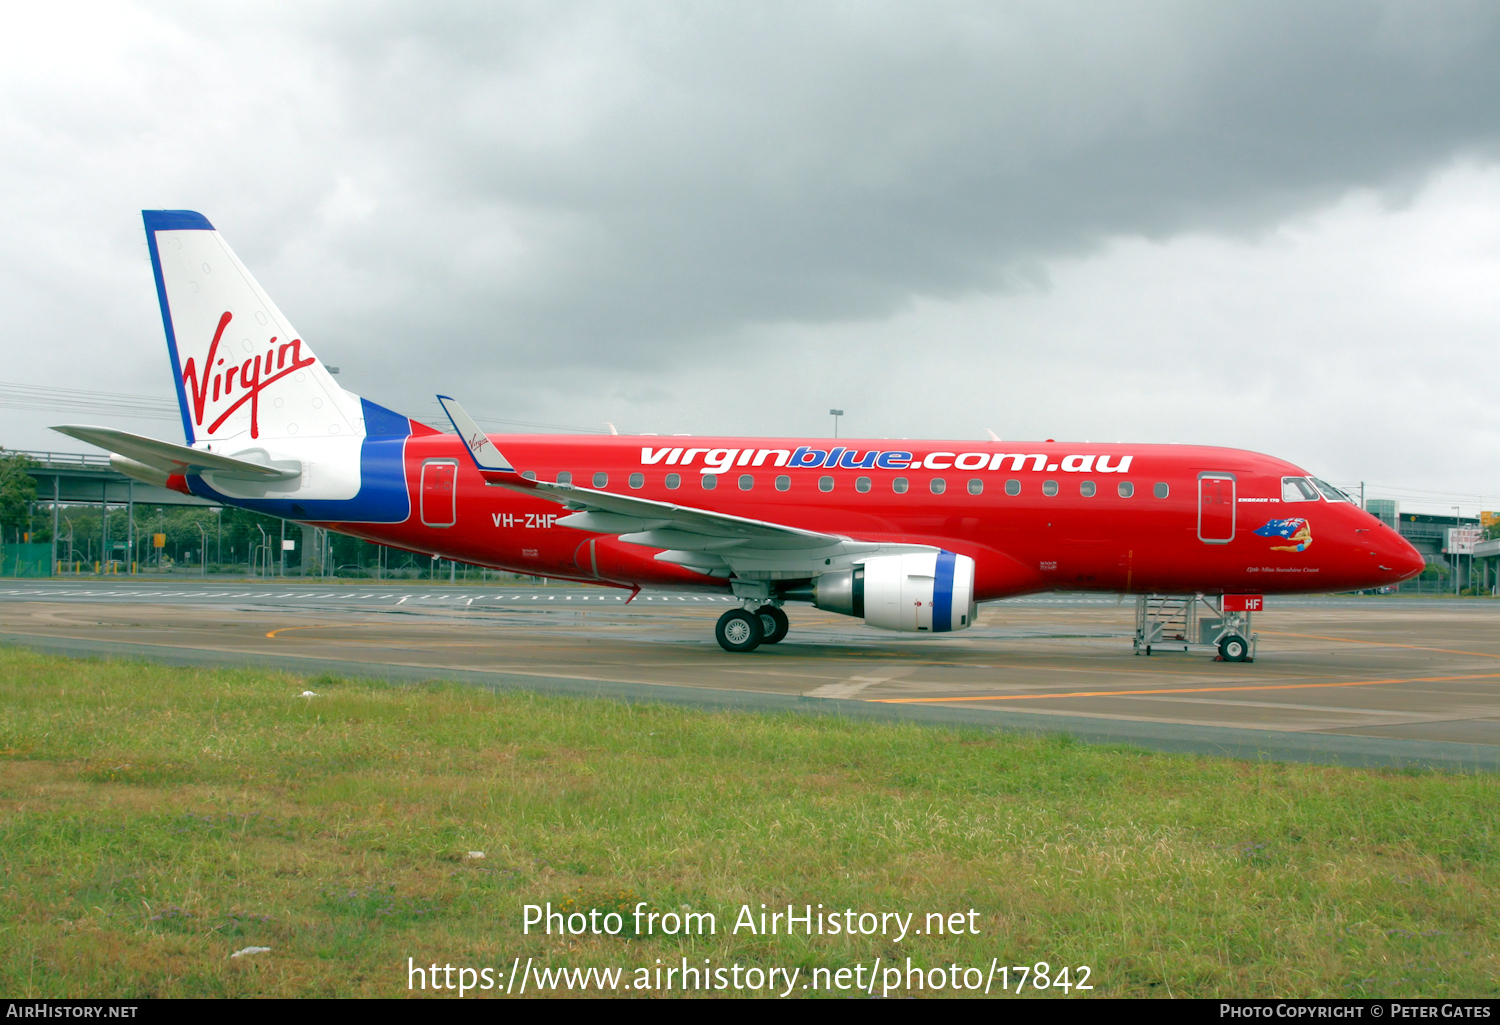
[[703, 540]]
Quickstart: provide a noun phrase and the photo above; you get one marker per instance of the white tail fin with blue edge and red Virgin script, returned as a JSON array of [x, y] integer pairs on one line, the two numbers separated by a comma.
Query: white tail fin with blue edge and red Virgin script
[[242, 371]]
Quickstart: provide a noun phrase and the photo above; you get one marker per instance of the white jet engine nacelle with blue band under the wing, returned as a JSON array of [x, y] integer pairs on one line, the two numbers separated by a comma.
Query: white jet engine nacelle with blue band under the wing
[[922, 592]]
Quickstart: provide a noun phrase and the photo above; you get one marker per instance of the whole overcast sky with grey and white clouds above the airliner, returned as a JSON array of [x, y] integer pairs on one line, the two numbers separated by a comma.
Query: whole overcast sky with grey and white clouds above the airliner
[[1270, 226]]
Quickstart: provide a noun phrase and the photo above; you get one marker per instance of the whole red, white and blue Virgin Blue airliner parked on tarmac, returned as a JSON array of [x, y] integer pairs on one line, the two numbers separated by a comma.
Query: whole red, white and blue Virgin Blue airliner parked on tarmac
[[902, 535]]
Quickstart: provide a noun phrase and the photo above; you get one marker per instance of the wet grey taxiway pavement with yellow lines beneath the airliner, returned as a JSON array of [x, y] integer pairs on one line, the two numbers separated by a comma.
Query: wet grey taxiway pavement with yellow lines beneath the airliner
[[1352, 681]]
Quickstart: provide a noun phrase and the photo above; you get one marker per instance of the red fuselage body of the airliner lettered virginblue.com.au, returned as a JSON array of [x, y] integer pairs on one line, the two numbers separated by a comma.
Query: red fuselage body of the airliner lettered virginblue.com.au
[[1045, 519]]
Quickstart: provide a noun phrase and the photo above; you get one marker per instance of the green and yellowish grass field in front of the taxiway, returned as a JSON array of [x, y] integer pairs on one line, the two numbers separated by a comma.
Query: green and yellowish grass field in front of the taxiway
[[155, 820]]
